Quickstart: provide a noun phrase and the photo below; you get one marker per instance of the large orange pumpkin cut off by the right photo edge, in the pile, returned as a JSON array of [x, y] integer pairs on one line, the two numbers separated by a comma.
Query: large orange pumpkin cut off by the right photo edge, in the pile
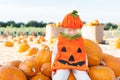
[[113, 63]]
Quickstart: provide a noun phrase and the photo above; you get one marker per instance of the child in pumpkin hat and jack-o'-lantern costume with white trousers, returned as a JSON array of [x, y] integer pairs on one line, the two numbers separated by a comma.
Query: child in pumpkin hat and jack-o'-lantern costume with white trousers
[[69, 53]]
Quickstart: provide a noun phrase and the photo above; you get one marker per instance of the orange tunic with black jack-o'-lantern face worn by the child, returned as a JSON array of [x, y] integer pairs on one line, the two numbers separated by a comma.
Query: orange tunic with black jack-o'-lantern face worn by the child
[[71, 54]]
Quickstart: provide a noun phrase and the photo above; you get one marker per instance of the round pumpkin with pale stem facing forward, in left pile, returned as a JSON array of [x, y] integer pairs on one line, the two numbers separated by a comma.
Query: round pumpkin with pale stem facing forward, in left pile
[[29, 67]]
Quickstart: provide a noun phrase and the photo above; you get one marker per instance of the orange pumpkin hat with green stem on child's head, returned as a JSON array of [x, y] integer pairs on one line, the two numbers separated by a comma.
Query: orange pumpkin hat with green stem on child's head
[[72, 20]]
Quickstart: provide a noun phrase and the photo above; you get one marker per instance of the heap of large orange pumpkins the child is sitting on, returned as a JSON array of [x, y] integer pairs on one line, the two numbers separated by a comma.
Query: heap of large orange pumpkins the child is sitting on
[[38, 66]]
